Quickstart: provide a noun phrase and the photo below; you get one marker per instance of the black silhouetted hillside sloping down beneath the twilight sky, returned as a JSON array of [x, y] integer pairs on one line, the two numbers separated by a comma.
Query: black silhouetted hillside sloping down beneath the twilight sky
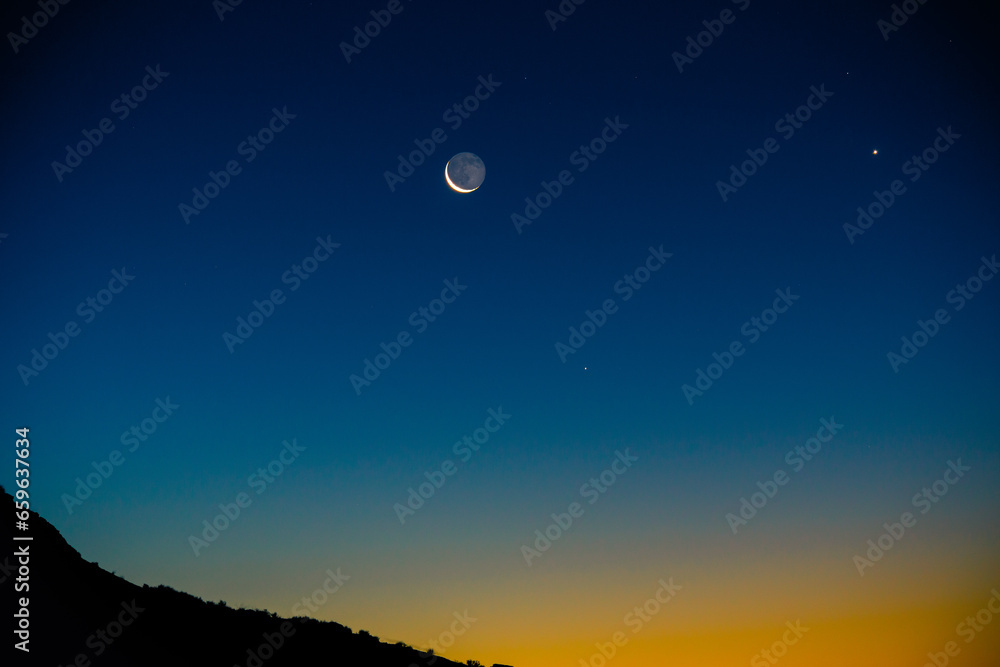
[[75, 608]]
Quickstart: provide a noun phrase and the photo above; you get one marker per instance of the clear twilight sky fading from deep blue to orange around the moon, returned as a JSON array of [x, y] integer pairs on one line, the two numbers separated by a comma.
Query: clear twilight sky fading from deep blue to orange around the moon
[[494, 347]]
